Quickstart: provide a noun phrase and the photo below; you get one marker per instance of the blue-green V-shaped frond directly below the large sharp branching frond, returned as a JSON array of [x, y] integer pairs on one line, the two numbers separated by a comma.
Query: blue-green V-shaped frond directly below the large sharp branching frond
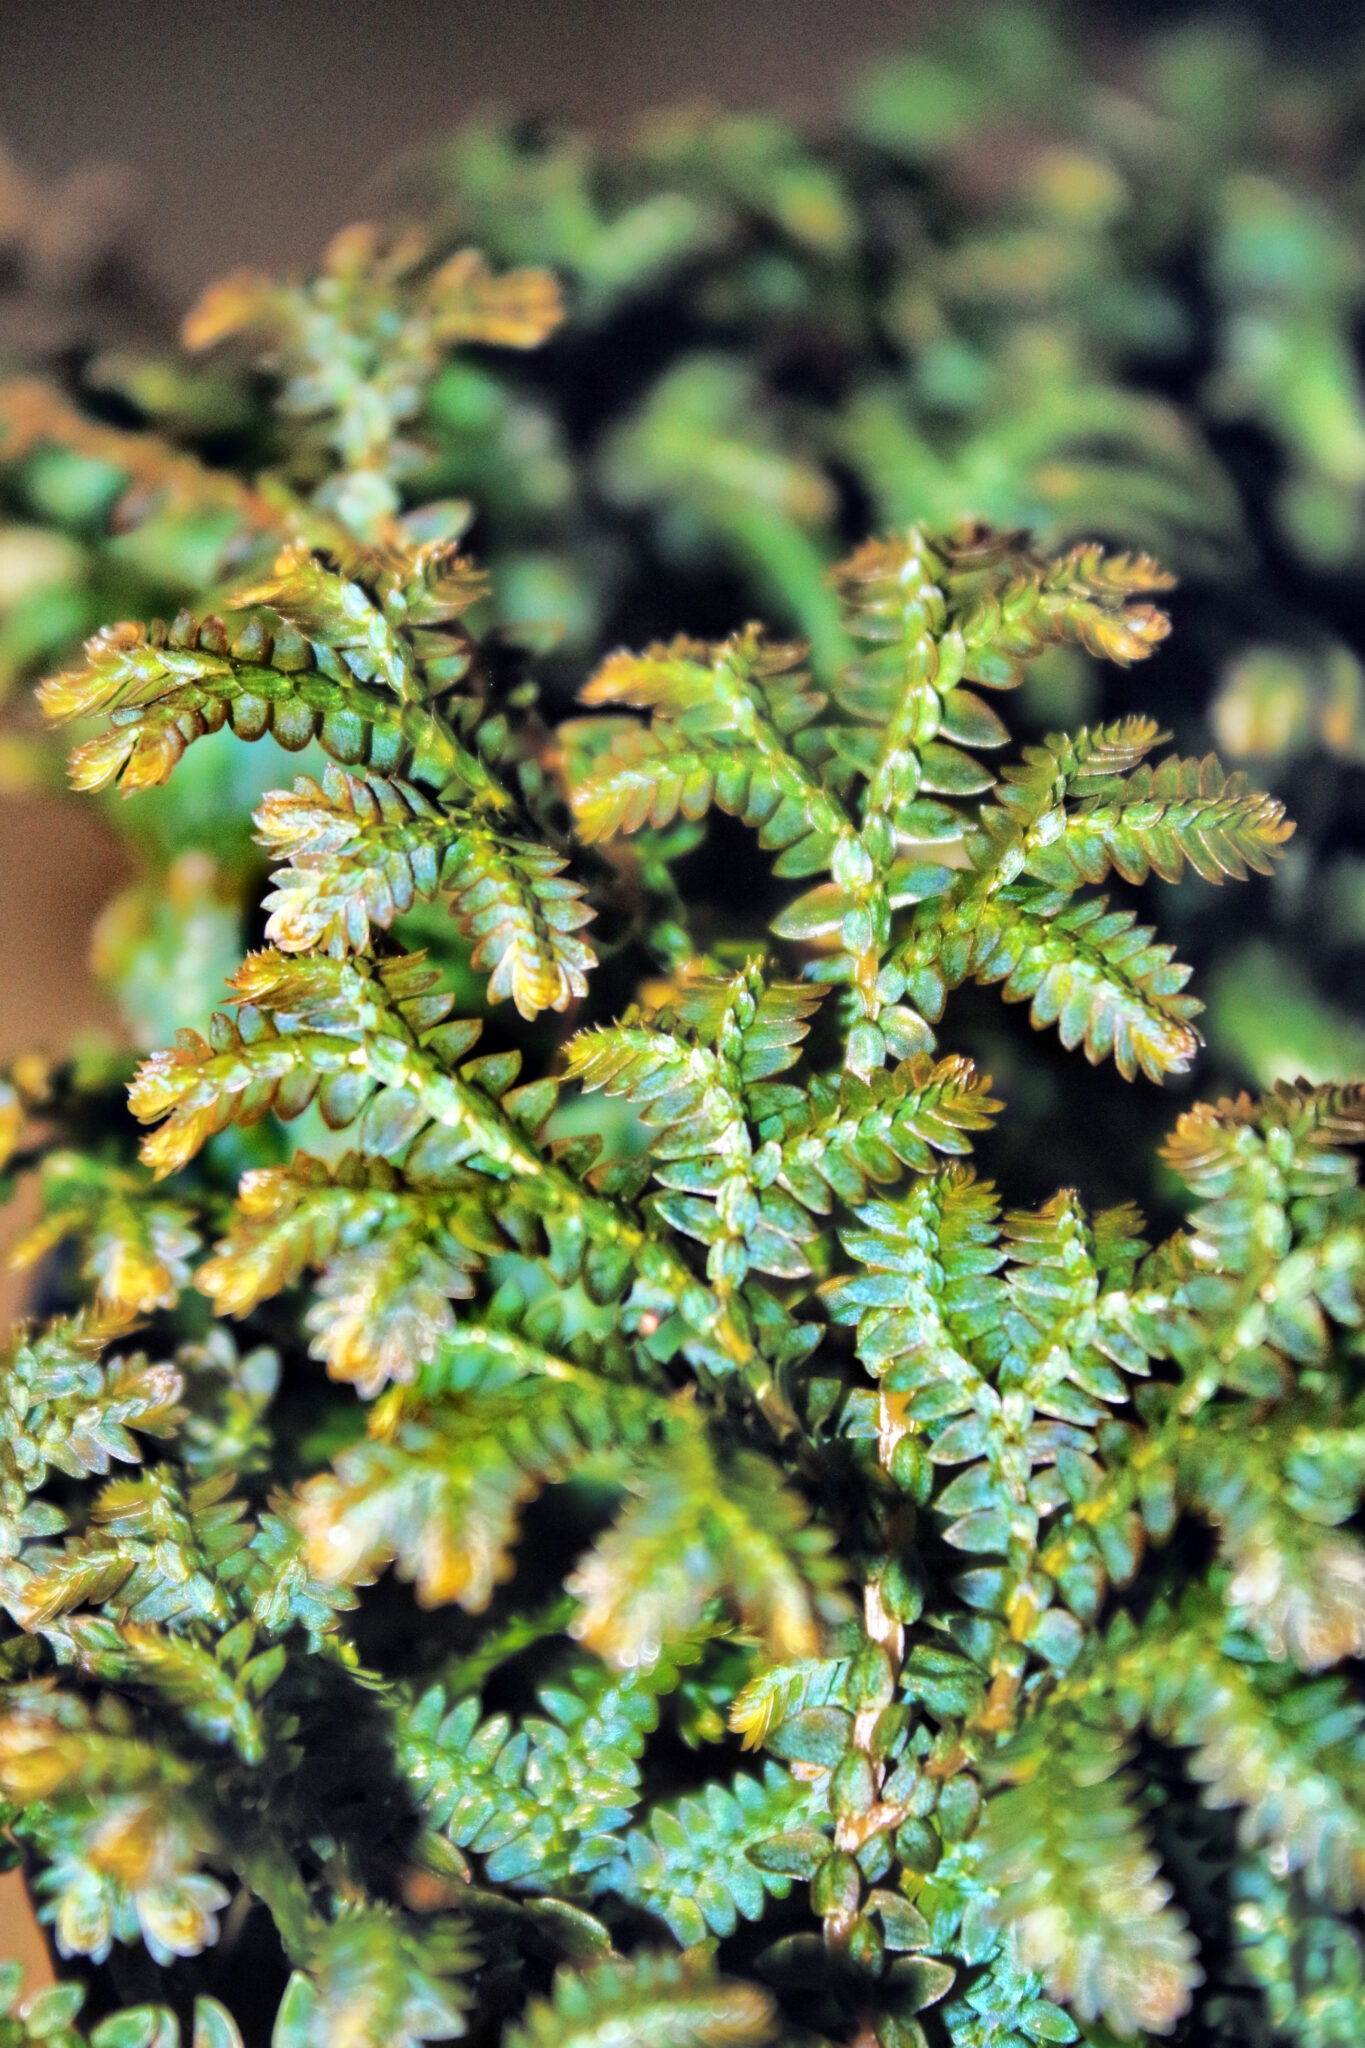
[[1010, 1377]]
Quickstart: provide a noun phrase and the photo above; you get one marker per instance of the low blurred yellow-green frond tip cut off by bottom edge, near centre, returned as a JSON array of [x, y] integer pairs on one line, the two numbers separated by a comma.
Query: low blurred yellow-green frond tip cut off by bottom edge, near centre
[[676, 2000]]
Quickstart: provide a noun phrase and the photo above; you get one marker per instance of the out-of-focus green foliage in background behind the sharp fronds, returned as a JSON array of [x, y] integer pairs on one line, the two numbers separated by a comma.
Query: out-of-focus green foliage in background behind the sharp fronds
[[1092, 286]]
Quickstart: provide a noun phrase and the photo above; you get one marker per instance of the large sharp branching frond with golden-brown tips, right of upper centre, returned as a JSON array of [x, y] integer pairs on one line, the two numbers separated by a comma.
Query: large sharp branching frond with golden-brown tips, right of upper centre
[[842, 783]]
